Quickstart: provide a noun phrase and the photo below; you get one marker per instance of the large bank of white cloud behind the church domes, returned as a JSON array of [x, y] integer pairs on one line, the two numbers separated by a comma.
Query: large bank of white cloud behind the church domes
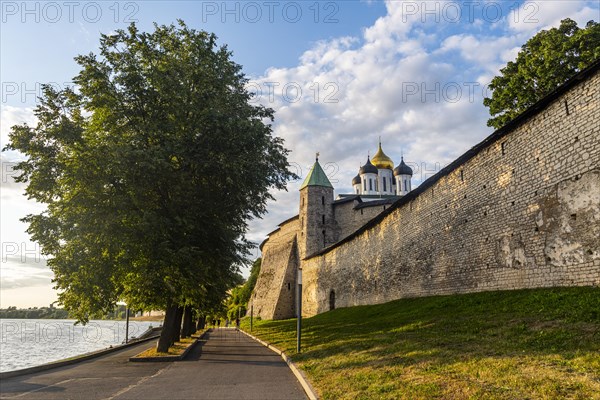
[[374, 74]]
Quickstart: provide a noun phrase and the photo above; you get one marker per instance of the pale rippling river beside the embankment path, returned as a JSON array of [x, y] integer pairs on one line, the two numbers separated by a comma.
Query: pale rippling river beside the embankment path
[[29, 342]]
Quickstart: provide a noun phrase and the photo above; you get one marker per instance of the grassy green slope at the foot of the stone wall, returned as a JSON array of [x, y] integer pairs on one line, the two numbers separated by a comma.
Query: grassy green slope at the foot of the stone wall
[[525, 344]]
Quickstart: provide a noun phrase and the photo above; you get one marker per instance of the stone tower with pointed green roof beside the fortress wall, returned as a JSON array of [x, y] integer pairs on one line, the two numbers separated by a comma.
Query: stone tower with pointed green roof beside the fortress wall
[[316, 212]]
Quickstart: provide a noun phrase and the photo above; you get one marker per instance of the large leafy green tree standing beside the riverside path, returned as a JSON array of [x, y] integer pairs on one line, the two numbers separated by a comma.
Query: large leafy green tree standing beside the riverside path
[[150, 172]]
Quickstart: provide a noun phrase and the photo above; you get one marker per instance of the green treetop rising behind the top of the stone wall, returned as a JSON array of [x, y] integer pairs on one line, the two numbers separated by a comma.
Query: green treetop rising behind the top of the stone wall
[[545, 62]]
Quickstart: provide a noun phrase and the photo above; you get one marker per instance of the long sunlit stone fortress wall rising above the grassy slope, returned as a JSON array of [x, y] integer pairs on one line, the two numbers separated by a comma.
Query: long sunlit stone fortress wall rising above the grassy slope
[[521, 210]]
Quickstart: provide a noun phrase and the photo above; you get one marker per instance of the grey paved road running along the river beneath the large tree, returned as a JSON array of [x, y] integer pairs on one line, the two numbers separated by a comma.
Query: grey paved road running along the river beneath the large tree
[[228, 365]]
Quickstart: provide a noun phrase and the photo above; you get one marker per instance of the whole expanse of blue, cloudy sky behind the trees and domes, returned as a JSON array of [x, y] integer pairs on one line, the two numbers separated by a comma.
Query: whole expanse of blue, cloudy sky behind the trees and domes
[[339, 75]]
